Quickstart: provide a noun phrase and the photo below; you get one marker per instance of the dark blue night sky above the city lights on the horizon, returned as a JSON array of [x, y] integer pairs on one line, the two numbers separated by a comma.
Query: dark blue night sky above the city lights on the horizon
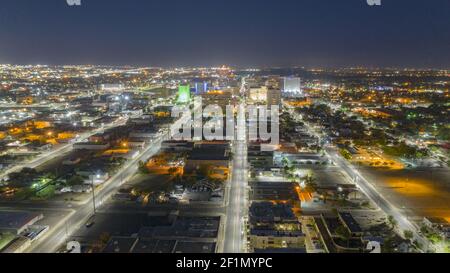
[[311, 33]]
